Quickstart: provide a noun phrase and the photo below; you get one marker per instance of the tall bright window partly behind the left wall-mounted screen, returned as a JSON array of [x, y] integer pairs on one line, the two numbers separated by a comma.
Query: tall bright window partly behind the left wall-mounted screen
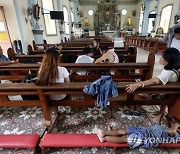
[[49, 24]]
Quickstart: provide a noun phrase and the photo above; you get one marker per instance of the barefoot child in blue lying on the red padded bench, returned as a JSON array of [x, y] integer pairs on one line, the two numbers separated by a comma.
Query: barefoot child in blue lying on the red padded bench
[[141, 136]]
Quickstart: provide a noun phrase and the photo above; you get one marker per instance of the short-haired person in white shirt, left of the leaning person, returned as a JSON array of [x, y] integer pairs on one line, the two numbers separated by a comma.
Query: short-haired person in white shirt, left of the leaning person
[[85, 58]]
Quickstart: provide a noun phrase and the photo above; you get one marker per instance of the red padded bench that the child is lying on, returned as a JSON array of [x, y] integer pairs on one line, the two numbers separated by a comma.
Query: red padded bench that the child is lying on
[[84, 140]]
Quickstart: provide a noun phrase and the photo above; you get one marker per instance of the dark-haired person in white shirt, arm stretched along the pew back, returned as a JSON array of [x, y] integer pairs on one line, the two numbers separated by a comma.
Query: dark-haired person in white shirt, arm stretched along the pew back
[[171, 61]]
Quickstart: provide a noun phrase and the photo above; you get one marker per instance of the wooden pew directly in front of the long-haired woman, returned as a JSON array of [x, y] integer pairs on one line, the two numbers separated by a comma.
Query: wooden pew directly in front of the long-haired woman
[[146, 69]]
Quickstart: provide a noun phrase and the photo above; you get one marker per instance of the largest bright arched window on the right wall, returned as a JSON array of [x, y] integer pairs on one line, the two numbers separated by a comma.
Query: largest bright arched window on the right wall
[[165, 17]]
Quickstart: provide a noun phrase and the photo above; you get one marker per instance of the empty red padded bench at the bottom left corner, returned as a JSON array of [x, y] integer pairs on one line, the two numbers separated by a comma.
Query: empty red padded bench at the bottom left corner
[[19, 141]]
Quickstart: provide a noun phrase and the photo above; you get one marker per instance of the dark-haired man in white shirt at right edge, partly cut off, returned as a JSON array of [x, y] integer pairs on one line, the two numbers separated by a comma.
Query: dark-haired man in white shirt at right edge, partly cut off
[[176, 39]]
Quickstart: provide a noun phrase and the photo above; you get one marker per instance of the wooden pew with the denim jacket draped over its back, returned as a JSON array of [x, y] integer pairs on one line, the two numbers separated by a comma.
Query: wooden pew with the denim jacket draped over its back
[[74, 88]]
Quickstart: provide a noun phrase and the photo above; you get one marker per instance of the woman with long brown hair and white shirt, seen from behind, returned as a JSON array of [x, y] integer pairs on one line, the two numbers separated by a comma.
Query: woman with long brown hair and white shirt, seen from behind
[[50, 72]]
